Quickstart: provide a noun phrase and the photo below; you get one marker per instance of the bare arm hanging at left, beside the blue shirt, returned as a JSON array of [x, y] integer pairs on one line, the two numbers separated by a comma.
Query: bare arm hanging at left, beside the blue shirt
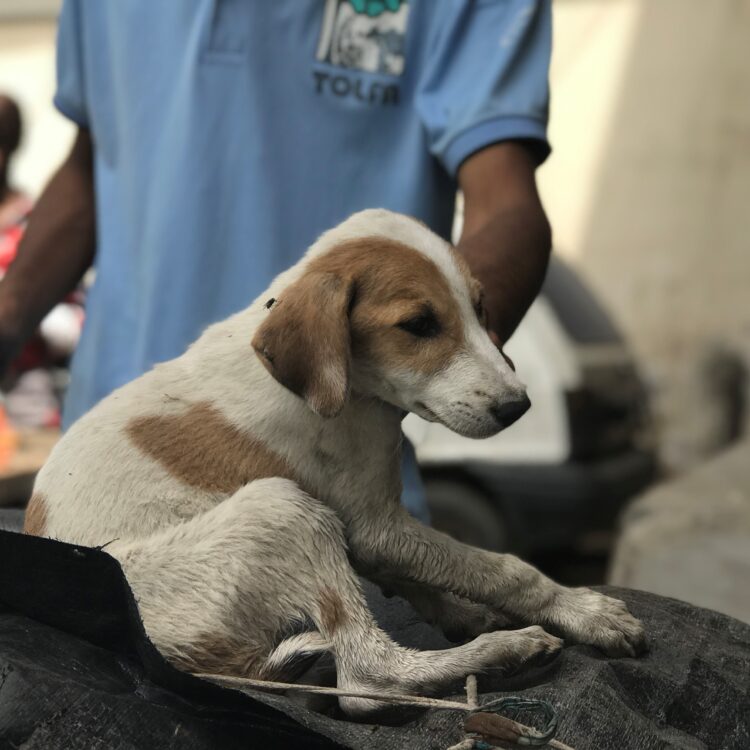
[[55, 252]]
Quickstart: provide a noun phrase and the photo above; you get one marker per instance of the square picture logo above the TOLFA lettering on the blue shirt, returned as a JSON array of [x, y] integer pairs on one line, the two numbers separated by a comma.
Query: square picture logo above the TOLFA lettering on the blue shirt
[[365, 35]]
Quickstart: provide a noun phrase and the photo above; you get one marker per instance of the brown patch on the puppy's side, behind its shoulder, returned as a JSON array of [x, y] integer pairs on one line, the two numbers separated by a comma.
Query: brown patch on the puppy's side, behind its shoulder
[[202, 449]]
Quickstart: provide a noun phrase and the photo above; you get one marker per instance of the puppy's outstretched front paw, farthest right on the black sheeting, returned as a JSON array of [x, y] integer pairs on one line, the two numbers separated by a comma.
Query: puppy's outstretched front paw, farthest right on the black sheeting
[[585, 616]]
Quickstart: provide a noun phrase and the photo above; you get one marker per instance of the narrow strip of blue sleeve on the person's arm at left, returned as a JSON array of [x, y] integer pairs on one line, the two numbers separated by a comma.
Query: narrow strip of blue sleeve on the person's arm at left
[[70, 95]]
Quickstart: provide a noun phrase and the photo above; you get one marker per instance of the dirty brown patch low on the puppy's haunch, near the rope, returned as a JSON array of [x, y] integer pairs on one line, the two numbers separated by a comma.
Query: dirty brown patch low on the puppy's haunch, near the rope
[[224, 656]]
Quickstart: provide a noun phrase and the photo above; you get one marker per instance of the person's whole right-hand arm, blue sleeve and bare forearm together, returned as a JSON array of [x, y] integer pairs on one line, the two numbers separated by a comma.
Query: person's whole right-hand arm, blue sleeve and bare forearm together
[[483, 98]]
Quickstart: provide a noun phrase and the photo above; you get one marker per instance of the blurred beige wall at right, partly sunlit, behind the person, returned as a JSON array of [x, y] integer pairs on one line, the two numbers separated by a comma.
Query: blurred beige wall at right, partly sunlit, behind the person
[[649, 185]]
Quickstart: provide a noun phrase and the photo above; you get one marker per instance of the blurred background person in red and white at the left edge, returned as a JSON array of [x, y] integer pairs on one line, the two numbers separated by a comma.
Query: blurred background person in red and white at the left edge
[[31, 395]]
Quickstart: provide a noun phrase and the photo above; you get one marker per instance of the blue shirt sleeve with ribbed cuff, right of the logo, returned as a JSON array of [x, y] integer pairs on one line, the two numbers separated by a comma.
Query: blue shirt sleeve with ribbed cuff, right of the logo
[[486, 78]]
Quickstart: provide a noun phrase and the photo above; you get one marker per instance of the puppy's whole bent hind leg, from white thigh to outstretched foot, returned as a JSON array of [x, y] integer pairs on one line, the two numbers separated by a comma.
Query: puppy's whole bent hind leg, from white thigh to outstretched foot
[[216, 591]]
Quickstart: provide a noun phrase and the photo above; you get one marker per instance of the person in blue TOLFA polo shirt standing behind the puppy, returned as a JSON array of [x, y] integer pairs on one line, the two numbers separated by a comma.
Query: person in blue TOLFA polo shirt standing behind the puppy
[[218, 138]]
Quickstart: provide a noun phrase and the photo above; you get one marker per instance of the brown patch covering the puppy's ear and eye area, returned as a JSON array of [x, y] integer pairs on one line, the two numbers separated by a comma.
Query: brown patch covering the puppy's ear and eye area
[[349, 303]]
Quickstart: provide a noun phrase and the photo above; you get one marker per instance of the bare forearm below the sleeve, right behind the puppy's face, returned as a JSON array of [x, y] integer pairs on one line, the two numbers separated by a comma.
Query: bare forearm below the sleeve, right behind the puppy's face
[[506, 237]]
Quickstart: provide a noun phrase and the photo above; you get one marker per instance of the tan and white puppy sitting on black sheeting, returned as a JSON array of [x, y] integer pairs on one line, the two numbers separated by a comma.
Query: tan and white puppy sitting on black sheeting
[[245, 481]]
